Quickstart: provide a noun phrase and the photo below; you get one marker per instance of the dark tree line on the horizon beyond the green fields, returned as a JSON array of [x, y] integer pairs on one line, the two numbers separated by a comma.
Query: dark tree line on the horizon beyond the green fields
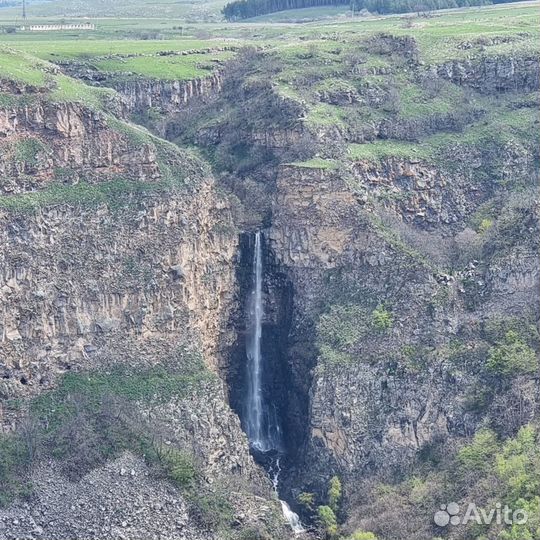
[[245, 9]]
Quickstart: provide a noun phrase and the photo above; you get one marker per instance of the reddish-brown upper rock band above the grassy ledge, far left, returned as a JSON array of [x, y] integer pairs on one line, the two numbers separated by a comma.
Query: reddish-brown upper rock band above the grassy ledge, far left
[[45, 141]]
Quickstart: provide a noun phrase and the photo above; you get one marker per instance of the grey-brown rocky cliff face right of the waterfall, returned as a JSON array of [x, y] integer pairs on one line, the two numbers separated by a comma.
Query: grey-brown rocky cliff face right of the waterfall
[[397, 390]]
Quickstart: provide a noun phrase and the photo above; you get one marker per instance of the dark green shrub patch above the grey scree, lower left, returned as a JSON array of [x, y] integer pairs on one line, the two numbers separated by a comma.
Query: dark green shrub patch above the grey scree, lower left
[[92, 417]]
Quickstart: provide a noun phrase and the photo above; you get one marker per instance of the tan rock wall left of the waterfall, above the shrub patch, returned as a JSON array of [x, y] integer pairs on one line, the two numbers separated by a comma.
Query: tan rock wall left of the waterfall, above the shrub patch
[[117, 280]]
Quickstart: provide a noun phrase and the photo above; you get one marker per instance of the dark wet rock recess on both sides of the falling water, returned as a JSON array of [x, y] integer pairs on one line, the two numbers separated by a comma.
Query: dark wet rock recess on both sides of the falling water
[[284, 388]]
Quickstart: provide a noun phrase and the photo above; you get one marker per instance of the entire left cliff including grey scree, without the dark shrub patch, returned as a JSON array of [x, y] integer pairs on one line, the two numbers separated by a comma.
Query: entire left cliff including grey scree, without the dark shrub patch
[[117, 250]]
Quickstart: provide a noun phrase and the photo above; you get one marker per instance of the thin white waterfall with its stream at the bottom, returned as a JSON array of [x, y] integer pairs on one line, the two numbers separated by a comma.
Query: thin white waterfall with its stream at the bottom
[[261, 419]]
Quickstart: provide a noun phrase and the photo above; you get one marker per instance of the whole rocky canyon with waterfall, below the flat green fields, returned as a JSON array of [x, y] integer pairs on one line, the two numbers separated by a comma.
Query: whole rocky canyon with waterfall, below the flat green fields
[[245, 312]]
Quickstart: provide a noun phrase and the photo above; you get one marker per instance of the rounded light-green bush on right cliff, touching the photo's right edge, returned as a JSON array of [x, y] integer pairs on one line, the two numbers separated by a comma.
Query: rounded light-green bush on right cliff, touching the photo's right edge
[[512, 357]]
